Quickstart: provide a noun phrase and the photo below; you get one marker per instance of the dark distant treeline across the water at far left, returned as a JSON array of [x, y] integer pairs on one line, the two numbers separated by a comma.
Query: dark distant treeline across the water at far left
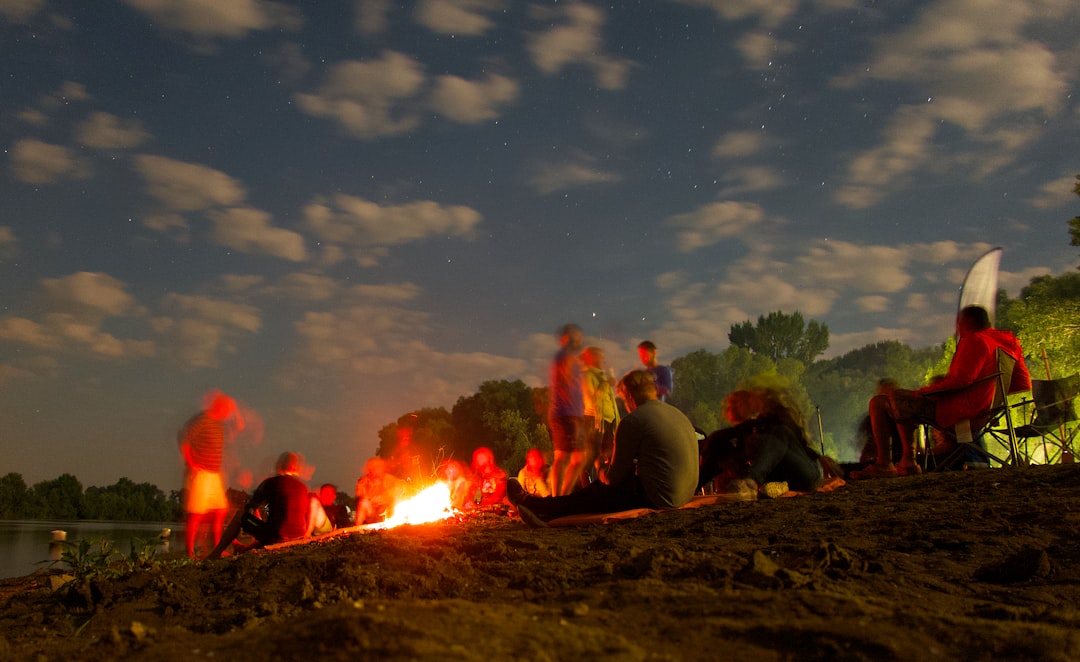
[[64, 498]]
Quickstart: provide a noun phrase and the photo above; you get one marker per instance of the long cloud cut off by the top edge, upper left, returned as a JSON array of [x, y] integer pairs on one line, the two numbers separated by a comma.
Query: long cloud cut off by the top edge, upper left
[[233, 20]]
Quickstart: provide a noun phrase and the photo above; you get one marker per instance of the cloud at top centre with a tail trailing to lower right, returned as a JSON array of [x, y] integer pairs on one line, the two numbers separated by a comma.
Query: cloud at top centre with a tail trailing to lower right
[[577, 42]]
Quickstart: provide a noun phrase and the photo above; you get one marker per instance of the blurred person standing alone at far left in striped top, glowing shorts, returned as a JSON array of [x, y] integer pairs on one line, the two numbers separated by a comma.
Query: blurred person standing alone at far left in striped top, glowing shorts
[[202, 444]]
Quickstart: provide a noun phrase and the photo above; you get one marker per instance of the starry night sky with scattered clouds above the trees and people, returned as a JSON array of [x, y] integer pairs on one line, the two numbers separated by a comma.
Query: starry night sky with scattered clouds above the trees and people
[[342, 212]]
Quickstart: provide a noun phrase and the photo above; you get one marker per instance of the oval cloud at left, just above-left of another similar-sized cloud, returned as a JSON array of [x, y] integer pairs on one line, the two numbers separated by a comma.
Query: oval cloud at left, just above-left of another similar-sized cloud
[[186, 187]]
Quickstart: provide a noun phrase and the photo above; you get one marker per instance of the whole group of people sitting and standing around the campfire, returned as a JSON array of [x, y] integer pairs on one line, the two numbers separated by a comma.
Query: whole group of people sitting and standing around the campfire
[[653, 457]]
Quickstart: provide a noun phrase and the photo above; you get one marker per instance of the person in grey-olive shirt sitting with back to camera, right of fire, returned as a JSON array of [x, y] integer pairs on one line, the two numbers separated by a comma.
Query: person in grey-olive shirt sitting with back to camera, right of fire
[[655, 463]]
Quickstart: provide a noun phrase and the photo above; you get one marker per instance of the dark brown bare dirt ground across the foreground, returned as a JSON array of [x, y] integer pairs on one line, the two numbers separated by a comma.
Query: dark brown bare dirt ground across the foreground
[[974, 565]]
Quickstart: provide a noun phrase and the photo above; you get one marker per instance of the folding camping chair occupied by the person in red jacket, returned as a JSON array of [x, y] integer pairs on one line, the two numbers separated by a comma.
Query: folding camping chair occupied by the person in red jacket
[[973, 434]]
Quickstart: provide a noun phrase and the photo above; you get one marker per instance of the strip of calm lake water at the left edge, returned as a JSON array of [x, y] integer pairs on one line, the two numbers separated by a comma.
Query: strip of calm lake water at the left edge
[[26, 543]]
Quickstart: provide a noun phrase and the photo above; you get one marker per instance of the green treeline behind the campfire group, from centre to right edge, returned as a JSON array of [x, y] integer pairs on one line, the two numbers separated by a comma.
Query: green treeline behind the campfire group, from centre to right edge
[[779, 349]]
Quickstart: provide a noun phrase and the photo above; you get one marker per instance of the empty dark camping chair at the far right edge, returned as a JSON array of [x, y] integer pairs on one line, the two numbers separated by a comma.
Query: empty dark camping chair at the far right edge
[[1055, 411]]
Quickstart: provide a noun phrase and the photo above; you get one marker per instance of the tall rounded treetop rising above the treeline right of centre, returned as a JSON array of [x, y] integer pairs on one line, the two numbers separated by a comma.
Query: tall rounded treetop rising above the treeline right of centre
[[781, 336]]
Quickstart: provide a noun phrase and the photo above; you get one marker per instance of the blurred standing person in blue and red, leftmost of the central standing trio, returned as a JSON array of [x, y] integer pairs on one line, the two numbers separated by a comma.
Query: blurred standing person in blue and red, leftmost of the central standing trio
[[566, 412]]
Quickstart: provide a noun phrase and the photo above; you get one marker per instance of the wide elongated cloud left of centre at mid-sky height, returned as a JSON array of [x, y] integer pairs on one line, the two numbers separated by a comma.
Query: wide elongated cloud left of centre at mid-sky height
[[360, 224]]
